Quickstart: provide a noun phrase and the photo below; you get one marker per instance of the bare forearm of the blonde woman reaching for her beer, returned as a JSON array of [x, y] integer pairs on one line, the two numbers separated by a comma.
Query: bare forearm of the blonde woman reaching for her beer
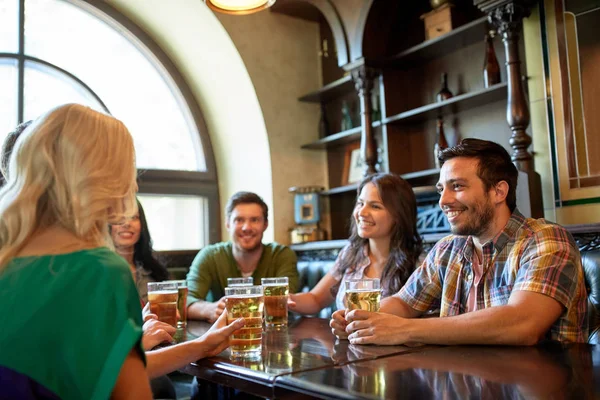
[[168, 359]]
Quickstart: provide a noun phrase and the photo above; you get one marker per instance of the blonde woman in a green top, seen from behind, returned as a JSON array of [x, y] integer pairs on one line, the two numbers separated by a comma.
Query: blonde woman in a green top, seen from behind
[[70, 312]]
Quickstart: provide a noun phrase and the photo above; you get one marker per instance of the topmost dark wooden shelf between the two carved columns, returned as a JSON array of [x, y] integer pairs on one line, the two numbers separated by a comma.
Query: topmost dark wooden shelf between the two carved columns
[[456, 39]]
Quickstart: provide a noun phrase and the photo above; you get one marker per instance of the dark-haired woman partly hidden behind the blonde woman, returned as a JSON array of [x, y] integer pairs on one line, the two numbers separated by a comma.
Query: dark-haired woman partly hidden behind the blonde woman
[[133, 242]]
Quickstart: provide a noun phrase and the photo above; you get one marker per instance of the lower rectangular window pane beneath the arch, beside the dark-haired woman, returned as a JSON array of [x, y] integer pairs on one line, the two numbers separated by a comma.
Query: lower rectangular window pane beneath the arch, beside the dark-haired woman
[[176, 222]]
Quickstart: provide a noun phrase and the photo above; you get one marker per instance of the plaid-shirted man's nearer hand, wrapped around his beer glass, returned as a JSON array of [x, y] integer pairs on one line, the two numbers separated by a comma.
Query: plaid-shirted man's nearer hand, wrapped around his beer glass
[[366, 327]]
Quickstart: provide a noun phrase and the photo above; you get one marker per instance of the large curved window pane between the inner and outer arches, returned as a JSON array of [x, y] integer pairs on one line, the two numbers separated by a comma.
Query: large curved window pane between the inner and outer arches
[[122, 75]]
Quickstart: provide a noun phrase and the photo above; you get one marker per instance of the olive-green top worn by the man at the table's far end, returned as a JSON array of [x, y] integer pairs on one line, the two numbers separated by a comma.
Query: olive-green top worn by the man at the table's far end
[[215, 263]]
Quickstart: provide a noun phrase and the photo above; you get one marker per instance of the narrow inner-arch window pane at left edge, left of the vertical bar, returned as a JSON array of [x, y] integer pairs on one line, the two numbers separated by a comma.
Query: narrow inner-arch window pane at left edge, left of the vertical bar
[[8, 96]]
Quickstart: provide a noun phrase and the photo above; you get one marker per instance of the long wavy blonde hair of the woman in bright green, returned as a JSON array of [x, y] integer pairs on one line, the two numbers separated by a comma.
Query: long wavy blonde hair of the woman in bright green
[[72, 167]]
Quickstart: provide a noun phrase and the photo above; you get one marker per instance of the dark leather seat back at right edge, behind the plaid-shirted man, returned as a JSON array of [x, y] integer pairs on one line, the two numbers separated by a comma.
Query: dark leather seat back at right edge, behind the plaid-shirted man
[[591, 266]]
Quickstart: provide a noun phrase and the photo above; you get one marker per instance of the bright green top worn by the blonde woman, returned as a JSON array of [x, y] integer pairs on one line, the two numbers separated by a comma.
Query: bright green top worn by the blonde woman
[[68, 321]]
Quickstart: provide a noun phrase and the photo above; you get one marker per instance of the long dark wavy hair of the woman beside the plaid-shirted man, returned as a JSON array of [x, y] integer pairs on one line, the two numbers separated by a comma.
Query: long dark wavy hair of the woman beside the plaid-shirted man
[[406, 244]]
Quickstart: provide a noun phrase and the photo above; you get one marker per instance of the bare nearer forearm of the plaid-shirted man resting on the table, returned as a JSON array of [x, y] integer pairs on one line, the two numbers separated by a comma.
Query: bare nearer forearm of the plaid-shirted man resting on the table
[[505, 325]]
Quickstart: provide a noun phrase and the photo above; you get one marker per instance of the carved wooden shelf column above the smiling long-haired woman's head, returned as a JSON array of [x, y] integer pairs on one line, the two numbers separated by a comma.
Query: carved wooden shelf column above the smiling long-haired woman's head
[[363, 77]]
